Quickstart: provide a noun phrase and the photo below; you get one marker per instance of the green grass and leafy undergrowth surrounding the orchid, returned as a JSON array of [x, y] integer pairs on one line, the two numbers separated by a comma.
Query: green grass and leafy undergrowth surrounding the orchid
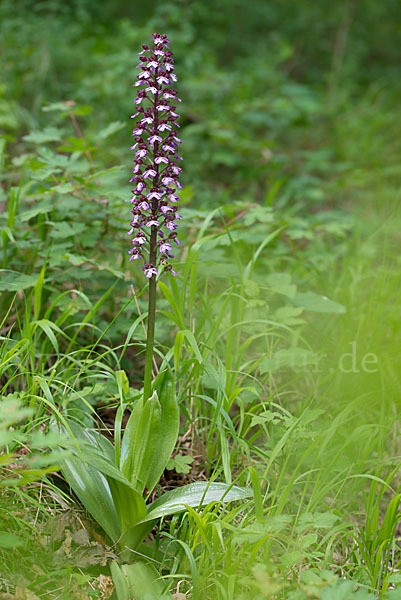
[[282, 327]]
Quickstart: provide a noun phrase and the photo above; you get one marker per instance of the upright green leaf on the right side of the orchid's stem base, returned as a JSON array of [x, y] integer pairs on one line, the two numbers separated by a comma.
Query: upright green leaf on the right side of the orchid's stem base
[[169, 426]]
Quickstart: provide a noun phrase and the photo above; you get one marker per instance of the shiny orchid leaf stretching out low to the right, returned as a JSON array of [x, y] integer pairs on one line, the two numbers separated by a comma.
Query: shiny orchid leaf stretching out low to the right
[[195, 495]]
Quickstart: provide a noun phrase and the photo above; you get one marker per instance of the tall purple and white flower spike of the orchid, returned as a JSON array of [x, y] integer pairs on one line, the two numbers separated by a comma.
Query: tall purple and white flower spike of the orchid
[[156, 171]]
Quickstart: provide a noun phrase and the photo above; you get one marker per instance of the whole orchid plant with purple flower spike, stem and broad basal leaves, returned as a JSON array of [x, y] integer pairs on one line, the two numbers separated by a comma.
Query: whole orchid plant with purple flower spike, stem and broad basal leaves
[[112, 481]]
